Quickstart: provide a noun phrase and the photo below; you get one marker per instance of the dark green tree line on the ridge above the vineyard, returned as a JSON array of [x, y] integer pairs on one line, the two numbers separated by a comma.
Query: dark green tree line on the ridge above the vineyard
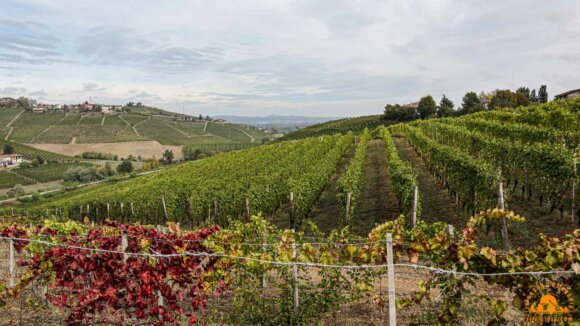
[[471, 103]]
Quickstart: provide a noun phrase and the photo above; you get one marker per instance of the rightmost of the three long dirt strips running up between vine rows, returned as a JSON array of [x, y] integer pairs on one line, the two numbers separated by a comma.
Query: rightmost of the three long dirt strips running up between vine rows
[[436, 203]]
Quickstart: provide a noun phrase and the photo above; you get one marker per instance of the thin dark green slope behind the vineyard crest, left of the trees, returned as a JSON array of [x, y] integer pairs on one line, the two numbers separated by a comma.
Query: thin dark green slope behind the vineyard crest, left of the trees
[[337, 126]]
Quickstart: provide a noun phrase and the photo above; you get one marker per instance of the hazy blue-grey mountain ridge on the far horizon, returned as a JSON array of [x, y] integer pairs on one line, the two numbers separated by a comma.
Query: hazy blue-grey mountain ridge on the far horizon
[[280, 120]]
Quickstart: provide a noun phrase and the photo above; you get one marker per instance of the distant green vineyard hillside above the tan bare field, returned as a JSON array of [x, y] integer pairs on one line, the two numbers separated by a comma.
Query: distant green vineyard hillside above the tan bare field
[[141, 124]]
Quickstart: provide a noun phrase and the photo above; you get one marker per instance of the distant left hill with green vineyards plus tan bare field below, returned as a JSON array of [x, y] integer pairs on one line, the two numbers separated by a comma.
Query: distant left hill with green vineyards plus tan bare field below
[[143, 131]]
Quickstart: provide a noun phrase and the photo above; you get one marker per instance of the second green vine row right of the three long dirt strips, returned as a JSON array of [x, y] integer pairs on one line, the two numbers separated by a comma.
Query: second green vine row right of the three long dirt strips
[[546, 167]]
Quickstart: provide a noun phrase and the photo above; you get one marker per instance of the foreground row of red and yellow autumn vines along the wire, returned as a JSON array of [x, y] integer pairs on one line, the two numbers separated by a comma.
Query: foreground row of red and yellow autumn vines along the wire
[[116, 273]]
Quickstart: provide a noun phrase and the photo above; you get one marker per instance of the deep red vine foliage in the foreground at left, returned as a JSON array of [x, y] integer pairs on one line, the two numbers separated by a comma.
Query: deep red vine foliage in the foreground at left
[[100, 284]]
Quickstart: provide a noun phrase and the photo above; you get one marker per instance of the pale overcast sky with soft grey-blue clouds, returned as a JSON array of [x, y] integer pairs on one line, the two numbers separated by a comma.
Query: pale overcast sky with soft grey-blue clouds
[[303, 57]]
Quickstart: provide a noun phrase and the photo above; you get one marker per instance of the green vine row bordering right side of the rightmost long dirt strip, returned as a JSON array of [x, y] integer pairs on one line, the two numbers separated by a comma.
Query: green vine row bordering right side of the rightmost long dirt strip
[[473, 179]]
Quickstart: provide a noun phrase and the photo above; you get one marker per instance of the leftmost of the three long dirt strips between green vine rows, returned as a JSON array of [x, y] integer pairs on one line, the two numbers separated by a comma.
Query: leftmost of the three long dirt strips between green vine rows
[[326, 211]]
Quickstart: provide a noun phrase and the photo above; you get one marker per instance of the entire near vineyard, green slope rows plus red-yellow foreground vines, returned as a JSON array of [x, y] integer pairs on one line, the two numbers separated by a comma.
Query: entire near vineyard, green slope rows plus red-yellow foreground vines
[[483, 201]]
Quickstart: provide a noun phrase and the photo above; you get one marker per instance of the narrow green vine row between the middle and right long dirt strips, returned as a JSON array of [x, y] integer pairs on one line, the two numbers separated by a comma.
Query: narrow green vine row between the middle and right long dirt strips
[[403, 178]]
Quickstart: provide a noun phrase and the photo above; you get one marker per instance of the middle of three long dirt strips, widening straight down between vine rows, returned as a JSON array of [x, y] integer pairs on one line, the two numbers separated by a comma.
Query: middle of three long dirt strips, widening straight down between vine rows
[[378, 201]]
